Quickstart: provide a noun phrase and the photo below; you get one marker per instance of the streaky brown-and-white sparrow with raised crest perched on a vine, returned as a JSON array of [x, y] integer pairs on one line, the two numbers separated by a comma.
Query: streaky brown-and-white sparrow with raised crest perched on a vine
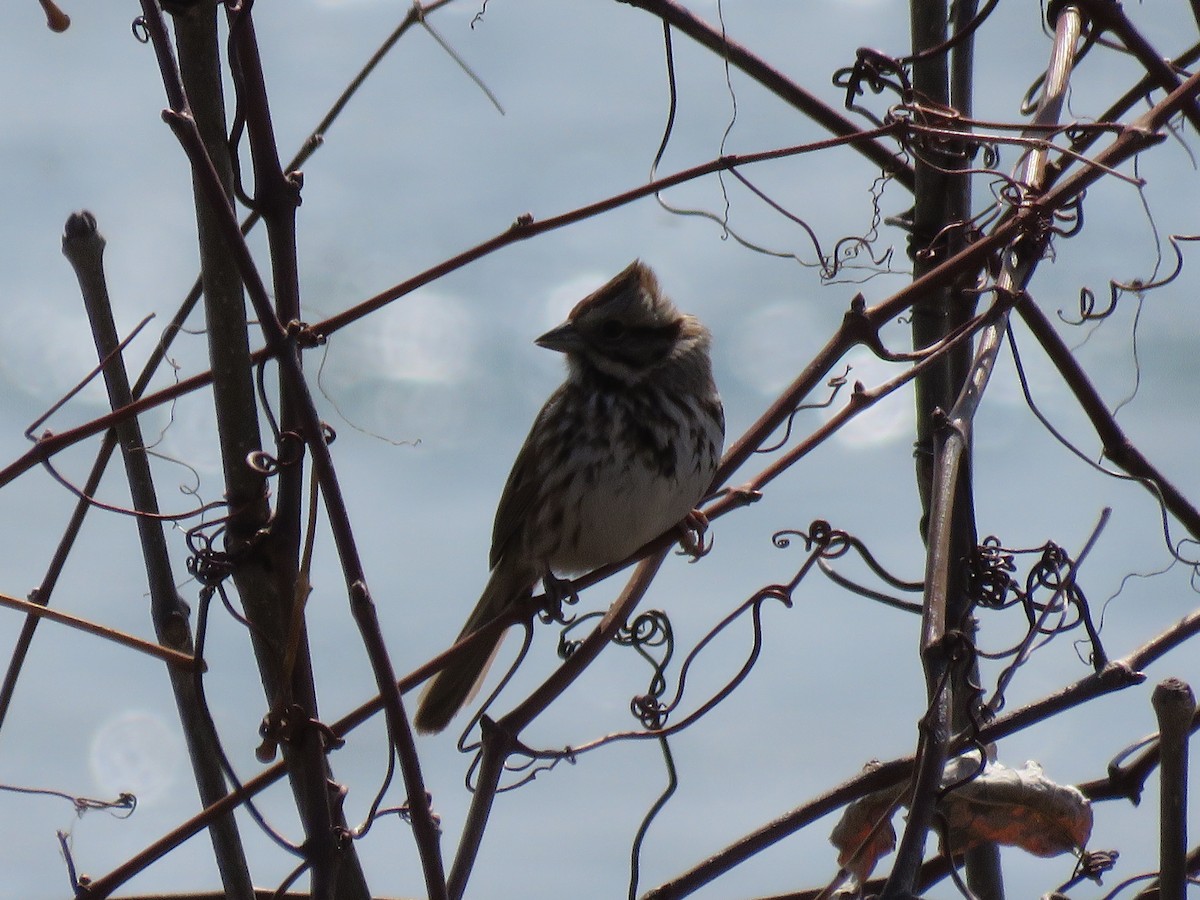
[[621, 453]]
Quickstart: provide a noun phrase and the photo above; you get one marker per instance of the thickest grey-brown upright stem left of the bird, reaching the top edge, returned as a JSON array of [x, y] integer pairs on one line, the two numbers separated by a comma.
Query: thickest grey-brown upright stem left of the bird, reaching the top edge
[[267, 599]]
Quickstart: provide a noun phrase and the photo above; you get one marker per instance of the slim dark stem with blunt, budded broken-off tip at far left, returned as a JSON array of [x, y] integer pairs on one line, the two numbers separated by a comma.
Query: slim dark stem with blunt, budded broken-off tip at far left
[[85, 248]]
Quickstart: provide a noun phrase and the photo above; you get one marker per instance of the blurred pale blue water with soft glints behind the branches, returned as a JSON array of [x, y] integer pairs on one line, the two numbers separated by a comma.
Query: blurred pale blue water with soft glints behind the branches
[[433, 397]]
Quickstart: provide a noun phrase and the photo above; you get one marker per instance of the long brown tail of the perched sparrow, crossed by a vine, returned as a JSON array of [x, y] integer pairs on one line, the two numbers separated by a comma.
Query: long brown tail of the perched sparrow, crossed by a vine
[[457, 685]]
